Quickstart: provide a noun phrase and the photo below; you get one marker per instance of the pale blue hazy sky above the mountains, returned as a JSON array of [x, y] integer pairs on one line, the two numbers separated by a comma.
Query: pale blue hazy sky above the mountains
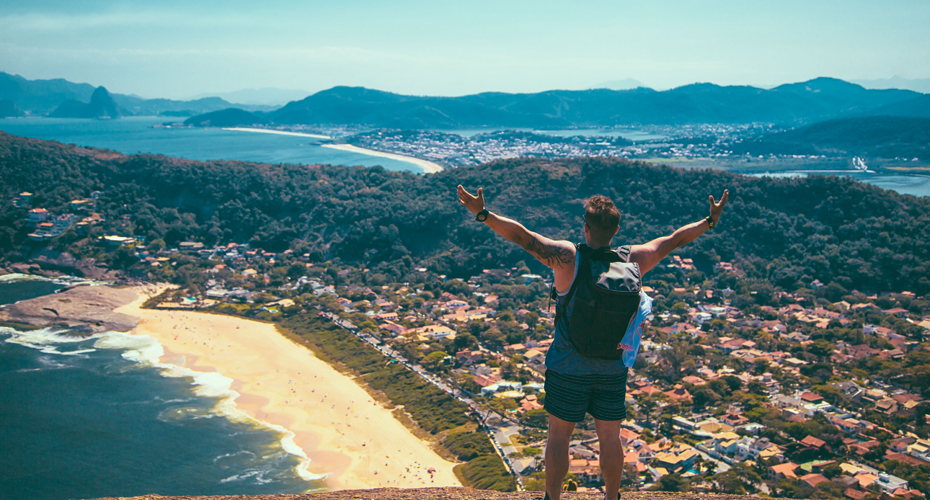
[[178, 49]]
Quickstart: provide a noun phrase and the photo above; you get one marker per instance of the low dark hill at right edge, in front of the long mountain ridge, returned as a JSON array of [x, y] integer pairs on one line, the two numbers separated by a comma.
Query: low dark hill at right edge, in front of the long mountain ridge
[[868, 136]]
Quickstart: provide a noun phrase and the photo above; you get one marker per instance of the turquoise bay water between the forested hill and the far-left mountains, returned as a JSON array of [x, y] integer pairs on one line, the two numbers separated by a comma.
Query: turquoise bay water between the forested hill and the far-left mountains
[[135, 135]]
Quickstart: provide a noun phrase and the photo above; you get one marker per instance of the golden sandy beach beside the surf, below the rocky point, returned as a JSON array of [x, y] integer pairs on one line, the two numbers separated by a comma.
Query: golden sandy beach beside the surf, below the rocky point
[[346, 435]]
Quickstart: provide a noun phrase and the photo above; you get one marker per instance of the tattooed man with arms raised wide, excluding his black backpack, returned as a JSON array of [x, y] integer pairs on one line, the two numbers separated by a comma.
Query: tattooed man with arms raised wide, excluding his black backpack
[[575, 384]]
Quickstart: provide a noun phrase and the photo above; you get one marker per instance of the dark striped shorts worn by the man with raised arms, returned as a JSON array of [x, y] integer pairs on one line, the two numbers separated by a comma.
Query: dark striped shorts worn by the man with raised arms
[[569, 397]]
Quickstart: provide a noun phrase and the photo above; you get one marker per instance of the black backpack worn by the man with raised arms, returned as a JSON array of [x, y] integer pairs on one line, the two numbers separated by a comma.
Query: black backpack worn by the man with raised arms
[[604, 298]]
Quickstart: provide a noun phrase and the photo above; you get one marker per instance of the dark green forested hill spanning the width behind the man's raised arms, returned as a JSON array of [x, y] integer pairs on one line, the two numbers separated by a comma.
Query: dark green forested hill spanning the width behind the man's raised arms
[[783, 230]]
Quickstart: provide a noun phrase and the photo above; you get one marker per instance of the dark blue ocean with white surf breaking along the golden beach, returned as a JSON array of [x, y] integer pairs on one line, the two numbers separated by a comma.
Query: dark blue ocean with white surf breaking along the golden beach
[[94, 417]]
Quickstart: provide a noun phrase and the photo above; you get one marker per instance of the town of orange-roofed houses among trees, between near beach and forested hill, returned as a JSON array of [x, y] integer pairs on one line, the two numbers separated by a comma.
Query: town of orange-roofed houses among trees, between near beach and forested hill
[[738, 388]]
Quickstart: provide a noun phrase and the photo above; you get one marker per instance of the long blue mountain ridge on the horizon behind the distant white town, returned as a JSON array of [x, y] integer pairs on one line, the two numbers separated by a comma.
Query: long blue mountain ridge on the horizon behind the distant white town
[[815, 100]]
